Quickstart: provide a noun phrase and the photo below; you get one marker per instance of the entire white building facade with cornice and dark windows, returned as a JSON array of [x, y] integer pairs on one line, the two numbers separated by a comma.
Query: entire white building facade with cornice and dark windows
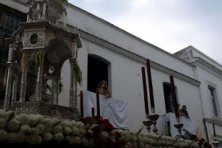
[[111, 53]]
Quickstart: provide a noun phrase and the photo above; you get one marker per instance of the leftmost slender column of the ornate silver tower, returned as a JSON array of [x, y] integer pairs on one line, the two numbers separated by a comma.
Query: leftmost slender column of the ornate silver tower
[[9, 78]]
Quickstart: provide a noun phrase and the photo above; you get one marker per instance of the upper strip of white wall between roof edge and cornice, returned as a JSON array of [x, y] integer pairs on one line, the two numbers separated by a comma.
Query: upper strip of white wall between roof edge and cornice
[[98, 27]]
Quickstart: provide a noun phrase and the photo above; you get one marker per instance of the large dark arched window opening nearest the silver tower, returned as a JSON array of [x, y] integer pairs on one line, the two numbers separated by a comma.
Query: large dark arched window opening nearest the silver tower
[[98, 69]]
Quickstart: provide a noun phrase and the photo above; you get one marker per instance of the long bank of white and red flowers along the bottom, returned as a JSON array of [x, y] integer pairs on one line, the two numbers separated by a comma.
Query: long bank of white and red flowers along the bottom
[[88, 132]]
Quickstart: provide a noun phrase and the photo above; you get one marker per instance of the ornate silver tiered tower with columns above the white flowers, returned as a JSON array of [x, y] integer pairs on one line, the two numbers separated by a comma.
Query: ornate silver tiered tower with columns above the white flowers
[[43, 42]]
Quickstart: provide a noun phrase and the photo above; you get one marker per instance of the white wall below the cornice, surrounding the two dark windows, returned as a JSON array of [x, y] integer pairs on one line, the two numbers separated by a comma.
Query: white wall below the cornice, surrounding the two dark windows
[[127, 85]]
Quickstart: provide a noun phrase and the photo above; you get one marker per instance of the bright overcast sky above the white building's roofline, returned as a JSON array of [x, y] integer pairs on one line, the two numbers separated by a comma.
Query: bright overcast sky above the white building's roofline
[[169, 24]]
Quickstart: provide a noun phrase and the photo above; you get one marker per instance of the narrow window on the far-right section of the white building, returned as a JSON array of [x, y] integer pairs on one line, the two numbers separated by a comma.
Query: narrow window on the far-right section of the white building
[[212, 93]]
